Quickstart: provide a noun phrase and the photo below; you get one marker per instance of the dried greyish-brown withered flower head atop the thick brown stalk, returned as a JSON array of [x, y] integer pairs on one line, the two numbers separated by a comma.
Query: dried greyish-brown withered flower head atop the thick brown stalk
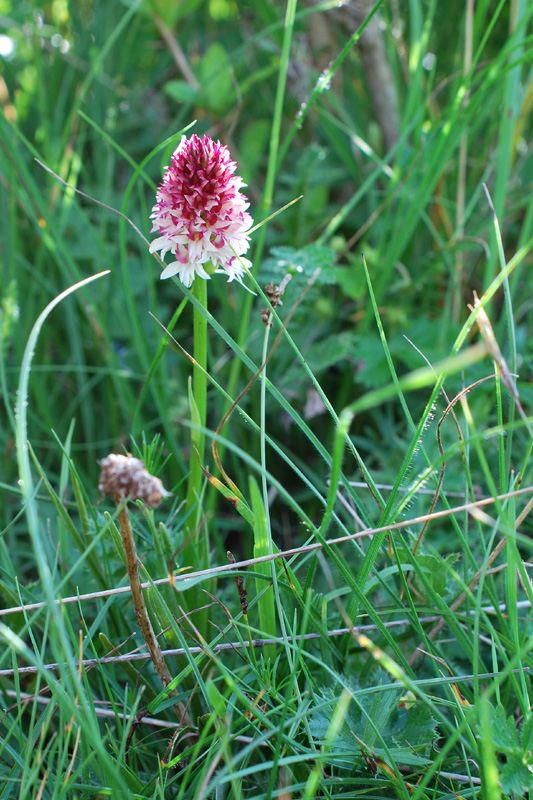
[[126, 476]]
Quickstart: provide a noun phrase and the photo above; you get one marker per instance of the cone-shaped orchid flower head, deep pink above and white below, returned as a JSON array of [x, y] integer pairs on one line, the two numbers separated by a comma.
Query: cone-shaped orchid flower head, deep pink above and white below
[[201, 213]]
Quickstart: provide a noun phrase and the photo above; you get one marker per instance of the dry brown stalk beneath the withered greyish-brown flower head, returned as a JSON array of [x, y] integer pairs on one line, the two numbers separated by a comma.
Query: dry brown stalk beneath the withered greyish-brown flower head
[[132, 565]]
